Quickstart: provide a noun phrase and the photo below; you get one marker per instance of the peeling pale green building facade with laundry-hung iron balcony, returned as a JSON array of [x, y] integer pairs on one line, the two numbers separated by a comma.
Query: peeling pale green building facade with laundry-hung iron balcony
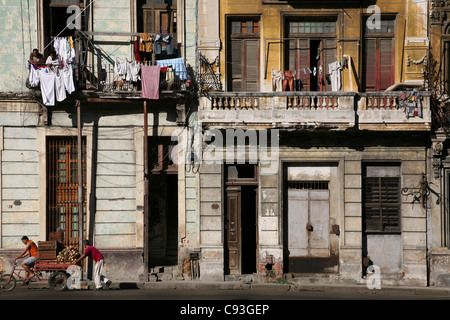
[[123, 179]]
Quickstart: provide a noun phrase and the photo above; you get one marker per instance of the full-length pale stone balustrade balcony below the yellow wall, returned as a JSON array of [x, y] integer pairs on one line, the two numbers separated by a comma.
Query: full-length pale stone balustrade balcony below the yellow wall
[[312, 110]]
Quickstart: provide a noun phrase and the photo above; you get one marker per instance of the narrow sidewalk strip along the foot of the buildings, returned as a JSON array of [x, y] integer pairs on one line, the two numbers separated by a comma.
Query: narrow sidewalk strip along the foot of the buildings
[[239, 285]]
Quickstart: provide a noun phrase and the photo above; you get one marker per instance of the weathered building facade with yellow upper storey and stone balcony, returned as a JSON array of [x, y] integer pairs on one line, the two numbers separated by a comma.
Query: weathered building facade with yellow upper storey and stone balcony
[[329, 78]]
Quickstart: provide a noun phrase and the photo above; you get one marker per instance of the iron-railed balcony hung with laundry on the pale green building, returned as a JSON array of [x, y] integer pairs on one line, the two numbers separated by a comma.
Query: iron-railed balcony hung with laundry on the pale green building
[[95, 73]]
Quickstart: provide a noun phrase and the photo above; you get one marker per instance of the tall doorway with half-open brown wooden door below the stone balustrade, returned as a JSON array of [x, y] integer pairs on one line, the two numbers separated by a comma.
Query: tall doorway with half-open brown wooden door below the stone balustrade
[[241, 236]]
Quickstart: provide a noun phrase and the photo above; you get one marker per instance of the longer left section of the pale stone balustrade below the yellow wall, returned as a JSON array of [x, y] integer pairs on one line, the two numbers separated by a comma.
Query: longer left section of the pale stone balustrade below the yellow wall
[[306, 109]]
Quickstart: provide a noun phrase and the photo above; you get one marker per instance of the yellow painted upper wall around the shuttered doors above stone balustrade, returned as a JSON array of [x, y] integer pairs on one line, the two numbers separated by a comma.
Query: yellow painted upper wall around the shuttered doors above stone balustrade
[[410, 28]]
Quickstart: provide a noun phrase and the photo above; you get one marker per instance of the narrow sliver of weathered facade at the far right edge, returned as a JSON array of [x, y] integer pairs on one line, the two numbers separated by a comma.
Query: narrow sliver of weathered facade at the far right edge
[[438, 76]]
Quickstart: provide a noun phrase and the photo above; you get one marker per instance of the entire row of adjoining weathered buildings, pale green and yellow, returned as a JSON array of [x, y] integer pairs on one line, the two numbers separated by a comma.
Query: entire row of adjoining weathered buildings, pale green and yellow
[[293, 139]]
